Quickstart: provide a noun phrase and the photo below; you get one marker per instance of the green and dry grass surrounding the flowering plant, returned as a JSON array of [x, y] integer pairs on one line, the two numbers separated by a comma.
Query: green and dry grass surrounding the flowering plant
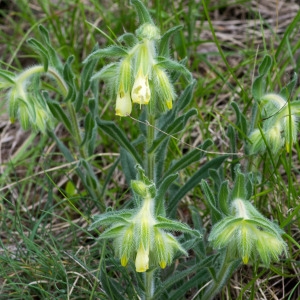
[[46, 251]]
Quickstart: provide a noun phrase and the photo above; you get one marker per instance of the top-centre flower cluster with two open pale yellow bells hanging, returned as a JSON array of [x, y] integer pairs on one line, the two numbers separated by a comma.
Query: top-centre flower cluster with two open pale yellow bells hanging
[[141, 73]]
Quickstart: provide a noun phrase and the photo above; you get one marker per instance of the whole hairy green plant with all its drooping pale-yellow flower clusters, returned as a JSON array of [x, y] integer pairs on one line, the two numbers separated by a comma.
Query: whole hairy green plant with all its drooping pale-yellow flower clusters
[[145, 236]]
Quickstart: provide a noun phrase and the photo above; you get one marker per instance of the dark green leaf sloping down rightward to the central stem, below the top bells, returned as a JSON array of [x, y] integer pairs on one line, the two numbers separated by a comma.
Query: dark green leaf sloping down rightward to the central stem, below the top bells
[[111, 129]]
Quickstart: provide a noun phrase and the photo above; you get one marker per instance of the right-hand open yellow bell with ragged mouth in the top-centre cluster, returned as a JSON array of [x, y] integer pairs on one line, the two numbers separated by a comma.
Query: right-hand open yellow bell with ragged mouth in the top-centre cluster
[[141, 91]]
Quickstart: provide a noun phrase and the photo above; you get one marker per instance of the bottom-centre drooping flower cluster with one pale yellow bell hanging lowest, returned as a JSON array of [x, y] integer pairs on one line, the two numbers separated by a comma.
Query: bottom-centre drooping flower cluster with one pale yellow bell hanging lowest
[[141, 236]]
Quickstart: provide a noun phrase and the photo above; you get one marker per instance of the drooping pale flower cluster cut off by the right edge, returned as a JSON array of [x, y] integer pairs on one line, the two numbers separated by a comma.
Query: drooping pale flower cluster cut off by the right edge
[[280, 125]]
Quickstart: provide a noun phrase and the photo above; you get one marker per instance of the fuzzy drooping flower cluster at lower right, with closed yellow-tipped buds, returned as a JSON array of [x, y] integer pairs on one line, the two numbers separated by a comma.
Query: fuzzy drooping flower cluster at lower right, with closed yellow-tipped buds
[[248, 233]]
